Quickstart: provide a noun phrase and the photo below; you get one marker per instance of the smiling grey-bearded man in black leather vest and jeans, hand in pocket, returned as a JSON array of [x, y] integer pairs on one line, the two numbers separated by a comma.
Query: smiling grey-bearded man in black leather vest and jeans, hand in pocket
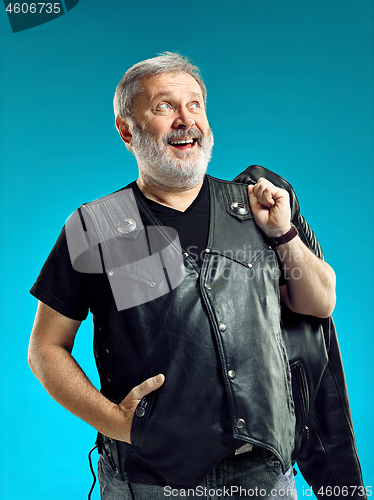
[[196, 385]]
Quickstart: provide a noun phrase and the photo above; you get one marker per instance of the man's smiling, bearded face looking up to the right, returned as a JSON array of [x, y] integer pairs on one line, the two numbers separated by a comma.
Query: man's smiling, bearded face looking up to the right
[[171, 138]]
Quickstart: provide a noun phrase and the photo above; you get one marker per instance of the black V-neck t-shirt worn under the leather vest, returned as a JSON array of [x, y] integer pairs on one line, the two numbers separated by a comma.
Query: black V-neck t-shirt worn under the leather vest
[[74, 293]]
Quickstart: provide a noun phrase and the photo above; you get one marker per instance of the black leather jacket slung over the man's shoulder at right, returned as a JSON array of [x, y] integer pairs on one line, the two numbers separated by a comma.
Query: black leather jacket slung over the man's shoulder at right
[[325, 447]]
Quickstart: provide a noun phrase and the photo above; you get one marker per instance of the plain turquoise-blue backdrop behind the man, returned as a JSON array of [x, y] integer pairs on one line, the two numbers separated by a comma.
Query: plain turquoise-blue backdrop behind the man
[[290, 87]]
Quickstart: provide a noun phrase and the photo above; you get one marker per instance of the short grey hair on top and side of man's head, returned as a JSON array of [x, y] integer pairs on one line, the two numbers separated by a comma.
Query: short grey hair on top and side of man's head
[[130, 85]]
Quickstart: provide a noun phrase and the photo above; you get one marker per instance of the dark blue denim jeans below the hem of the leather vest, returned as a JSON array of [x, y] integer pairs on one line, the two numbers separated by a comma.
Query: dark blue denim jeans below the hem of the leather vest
[[249, 475]]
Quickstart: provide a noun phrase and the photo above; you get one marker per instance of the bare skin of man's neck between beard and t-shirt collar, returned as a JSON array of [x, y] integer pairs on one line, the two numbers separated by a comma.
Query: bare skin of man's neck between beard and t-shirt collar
[[177, 198]]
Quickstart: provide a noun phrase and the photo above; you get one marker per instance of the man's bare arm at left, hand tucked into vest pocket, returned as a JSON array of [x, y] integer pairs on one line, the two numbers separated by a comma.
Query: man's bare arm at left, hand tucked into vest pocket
[[50, 359]]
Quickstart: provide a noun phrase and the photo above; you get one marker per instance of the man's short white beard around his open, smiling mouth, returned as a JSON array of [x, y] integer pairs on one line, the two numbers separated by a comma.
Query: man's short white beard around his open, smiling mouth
[[161, 170]]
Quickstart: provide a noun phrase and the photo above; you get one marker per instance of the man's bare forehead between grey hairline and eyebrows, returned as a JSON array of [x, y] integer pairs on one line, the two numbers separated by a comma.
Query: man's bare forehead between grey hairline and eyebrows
[[179, 84]]
